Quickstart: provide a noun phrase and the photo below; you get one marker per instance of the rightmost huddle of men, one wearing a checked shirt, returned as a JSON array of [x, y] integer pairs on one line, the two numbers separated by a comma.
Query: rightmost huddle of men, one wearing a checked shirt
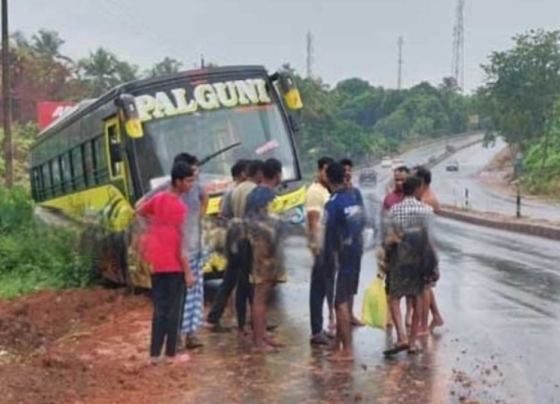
[[408, 258]]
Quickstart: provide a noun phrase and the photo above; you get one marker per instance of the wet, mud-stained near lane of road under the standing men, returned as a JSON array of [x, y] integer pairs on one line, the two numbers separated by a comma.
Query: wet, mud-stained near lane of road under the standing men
[[499, 294]]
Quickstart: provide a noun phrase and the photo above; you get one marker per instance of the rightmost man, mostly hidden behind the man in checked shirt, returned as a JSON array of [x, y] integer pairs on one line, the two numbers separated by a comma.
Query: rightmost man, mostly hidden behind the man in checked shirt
[[429, 302]]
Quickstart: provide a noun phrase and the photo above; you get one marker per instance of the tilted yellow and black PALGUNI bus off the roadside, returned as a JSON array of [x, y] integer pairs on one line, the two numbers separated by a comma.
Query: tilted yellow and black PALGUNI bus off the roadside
[[102, 157]]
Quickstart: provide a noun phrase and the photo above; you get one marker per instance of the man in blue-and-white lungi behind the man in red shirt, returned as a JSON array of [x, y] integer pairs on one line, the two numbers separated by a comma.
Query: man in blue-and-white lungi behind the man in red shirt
[[196, 201]]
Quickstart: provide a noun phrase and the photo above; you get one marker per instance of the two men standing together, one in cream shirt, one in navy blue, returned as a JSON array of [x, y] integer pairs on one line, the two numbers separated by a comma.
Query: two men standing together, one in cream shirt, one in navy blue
[[335, 223]]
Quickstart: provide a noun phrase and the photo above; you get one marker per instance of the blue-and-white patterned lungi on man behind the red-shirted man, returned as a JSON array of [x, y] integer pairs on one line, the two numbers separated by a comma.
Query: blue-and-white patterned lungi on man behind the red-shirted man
[[193, 312]]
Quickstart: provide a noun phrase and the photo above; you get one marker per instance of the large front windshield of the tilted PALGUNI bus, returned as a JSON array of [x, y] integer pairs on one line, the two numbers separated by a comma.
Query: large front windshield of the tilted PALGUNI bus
[[259, 130]]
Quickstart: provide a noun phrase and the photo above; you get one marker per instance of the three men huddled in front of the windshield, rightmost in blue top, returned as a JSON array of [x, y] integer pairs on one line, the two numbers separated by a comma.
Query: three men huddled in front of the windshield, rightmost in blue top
[[254, 254]]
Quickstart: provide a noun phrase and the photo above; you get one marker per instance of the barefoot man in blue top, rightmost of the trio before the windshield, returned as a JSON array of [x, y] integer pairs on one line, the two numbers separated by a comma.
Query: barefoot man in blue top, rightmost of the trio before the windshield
[[268, 266]]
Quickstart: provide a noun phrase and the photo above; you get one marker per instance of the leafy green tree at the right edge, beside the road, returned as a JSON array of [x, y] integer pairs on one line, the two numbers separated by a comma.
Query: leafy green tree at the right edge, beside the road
[[522, 87]]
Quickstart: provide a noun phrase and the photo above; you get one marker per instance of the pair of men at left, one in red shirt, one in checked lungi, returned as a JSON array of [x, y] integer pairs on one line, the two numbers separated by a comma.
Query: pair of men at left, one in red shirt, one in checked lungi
[[172, 248]]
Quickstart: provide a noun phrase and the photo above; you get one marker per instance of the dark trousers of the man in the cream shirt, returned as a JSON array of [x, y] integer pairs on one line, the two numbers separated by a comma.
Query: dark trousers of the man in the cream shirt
[[322, 286]]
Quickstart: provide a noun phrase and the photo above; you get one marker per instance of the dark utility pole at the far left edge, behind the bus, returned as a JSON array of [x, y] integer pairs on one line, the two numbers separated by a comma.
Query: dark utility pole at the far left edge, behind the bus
[[7, 100]]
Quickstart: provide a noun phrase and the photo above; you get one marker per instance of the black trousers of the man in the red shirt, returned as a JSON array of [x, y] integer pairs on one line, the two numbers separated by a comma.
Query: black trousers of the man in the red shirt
[[167, 296]]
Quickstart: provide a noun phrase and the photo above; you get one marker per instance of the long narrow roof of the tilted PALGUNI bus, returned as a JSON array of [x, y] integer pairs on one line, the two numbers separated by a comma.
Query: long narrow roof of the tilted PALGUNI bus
[[86, 106]]
